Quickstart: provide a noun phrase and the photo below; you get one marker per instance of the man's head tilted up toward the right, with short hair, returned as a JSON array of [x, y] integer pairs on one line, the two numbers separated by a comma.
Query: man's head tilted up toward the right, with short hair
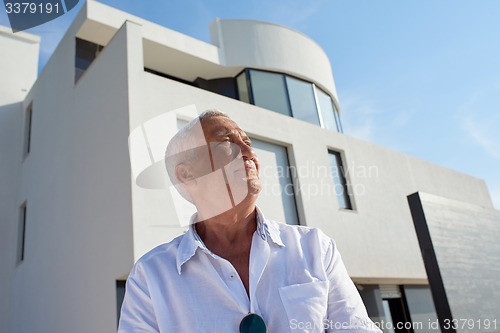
[[211, 158]]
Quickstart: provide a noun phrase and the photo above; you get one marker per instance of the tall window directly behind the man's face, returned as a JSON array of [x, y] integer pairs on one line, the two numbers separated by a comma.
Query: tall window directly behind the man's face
[[277, 197]]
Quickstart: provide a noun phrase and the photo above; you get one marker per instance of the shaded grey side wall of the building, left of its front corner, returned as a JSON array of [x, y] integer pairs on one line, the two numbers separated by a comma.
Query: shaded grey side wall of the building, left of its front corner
[[76, 184]]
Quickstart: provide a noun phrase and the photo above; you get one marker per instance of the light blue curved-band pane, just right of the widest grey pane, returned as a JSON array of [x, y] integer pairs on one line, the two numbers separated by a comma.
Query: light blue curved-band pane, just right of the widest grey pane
[[302, 99]]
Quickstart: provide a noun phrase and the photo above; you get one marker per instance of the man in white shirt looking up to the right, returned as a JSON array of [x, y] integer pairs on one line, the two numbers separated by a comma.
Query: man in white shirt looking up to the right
[[234, 270]]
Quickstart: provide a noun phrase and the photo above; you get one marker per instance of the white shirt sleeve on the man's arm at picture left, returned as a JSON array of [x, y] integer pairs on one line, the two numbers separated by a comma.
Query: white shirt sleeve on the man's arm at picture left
[[137, 313]]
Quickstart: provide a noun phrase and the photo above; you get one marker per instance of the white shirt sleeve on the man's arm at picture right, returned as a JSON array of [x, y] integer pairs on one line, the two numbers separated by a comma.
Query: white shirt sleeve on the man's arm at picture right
[[346, 311]]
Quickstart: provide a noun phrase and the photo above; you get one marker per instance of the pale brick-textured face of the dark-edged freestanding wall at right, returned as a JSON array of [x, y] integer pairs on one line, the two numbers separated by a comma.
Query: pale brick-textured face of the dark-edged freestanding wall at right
[[462, 240]]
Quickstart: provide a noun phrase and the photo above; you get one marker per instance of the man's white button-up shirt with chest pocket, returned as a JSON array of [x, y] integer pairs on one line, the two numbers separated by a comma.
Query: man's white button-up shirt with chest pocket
[[298, 283]]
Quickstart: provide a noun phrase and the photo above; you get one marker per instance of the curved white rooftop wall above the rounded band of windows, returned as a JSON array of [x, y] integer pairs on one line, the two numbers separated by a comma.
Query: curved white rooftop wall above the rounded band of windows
[[250, 43]]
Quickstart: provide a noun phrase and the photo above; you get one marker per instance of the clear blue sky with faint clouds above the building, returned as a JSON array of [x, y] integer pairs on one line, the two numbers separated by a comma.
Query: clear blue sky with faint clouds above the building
[[419, 77]]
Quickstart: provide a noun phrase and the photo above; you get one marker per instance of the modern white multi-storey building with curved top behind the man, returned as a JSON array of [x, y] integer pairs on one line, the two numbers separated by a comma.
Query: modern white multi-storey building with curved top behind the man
[[83, 194]]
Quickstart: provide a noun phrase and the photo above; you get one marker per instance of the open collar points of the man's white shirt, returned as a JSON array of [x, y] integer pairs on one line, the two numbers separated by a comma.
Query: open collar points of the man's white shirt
[[191, 241]]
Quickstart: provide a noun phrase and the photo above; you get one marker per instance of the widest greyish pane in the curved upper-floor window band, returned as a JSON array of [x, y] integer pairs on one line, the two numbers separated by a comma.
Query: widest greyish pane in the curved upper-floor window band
[[269, 91]]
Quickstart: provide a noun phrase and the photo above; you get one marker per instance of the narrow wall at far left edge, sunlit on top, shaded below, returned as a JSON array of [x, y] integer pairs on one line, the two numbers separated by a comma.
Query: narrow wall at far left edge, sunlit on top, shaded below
[[18, 68]]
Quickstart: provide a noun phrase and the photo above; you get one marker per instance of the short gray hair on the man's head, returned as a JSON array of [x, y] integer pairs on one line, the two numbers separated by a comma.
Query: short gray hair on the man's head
[[180, 148]]
